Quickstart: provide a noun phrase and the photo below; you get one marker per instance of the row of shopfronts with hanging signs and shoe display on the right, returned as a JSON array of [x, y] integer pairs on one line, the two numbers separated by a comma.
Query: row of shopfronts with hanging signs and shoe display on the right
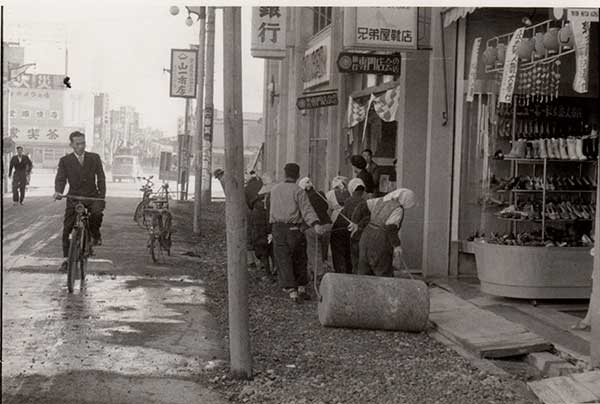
[[474, 85]]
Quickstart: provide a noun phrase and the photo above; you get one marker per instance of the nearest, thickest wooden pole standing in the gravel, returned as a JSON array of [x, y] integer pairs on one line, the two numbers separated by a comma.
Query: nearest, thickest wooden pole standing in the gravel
[[235, 208]]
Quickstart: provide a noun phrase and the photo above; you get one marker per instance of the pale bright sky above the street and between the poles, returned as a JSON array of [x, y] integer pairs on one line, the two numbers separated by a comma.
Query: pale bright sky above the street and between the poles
[[121, 48]]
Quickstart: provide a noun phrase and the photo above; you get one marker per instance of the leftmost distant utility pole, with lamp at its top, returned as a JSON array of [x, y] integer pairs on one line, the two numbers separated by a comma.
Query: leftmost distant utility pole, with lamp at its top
[[201, 11]]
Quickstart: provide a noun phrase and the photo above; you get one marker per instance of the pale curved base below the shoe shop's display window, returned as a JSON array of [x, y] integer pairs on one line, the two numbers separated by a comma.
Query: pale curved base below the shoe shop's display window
[[534, 272]]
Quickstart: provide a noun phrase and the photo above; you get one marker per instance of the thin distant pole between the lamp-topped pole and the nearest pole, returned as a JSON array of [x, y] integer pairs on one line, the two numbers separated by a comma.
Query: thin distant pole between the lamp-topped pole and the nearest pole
[[208, 109]]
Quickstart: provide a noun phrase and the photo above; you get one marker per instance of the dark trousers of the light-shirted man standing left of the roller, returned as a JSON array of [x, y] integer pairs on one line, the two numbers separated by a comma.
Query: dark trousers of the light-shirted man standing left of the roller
[[289, 248]]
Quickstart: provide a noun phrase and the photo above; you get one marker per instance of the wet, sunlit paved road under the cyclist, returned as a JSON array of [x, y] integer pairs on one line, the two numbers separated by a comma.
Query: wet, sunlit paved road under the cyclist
[[136, 332]]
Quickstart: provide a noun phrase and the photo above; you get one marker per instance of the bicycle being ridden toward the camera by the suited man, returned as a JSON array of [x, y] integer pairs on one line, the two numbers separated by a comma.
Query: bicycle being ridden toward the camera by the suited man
[[80, 247]]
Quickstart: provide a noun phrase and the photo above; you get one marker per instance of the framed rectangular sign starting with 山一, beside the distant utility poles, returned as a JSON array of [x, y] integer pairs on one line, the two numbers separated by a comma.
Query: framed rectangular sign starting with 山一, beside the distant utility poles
[[184, 73]]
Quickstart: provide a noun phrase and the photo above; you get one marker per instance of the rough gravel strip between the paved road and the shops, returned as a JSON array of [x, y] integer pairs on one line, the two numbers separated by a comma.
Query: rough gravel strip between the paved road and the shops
[[298, 361]]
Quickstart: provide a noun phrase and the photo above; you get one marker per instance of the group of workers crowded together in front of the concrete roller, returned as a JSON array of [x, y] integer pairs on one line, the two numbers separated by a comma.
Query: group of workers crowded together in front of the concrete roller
[[292, 226]]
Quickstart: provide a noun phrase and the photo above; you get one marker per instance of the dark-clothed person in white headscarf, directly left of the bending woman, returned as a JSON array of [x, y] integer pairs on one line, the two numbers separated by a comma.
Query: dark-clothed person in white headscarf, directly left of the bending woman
[[357, 210]]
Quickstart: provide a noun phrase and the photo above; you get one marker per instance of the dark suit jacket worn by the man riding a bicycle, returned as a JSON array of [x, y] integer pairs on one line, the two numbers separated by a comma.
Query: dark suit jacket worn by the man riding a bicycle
[[88, 180]]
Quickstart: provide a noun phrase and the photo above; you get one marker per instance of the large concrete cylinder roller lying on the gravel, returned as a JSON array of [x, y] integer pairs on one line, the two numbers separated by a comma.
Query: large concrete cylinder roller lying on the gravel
[[356, 301]]
